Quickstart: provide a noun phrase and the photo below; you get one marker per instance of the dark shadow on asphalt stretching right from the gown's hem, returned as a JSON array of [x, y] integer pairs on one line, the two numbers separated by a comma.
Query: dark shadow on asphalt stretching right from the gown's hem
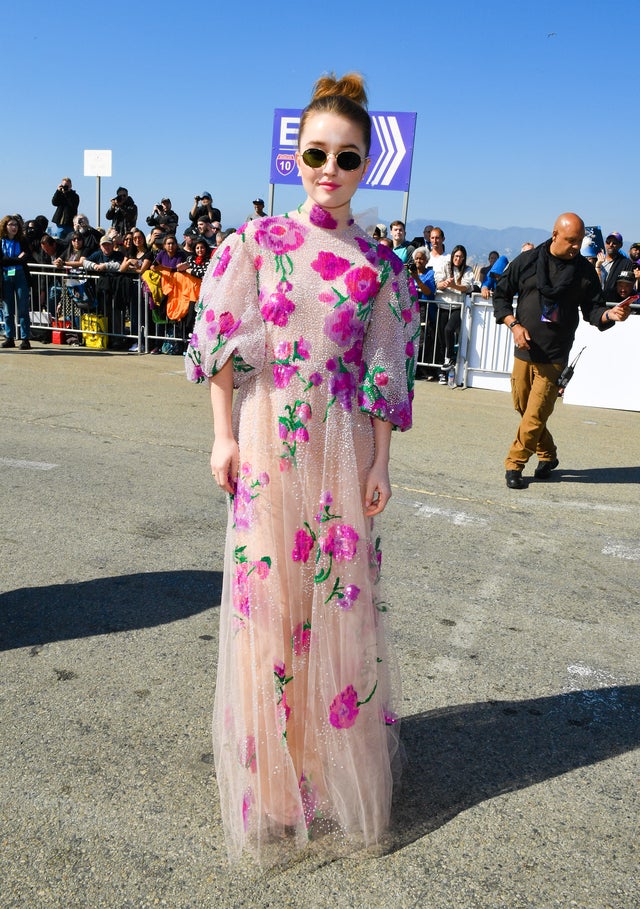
[[460, 756]]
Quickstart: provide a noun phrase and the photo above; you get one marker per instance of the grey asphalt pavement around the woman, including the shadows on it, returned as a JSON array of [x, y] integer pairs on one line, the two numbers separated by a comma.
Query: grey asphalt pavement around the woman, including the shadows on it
[[515, 619]]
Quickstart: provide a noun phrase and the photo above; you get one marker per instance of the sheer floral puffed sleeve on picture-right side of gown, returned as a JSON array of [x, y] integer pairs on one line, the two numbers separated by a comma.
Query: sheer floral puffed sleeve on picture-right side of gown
[[389, 349]]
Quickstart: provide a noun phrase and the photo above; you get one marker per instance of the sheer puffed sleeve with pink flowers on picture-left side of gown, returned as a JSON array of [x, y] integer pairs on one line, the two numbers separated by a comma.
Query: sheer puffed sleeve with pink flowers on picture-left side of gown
[[228, 319]]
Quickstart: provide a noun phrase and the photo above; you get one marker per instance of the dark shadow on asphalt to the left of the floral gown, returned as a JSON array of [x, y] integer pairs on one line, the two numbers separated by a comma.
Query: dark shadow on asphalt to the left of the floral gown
[[40, 615]]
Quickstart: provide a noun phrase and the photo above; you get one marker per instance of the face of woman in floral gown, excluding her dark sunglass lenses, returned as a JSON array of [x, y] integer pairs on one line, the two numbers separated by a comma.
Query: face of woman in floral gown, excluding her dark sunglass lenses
[[329, 185]]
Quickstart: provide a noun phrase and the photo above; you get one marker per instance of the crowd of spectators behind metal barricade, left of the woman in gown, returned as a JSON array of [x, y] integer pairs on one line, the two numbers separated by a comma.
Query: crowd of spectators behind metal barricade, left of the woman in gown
[[170, 267]]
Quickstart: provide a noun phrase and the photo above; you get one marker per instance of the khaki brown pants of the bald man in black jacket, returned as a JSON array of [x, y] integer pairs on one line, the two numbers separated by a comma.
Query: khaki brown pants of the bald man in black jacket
[[534, 392]]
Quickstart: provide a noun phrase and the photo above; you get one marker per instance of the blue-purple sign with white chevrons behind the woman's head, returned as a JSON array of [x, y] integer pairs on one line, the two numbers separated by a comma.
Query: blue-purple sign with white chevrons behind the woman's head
[[391, 152]]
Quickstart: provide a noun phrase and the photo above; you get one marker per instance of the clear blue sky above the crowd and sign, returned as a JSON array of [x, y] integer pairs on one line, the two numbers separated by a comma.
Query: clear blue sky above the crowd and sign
[[524, 110]]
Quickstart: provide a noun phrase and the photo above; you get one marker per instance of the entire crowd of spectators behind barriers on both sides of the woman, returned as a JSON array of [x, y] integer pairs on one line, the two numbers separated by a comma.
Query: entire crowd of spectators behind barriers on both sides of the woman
[[172, 265]]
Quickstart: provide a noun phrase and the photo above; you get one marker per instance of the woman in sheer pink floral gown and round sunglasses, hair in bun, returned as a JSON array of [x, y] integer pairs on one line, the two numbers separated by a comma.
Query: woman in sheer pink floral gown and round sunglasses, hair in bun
[[314, 323]]
